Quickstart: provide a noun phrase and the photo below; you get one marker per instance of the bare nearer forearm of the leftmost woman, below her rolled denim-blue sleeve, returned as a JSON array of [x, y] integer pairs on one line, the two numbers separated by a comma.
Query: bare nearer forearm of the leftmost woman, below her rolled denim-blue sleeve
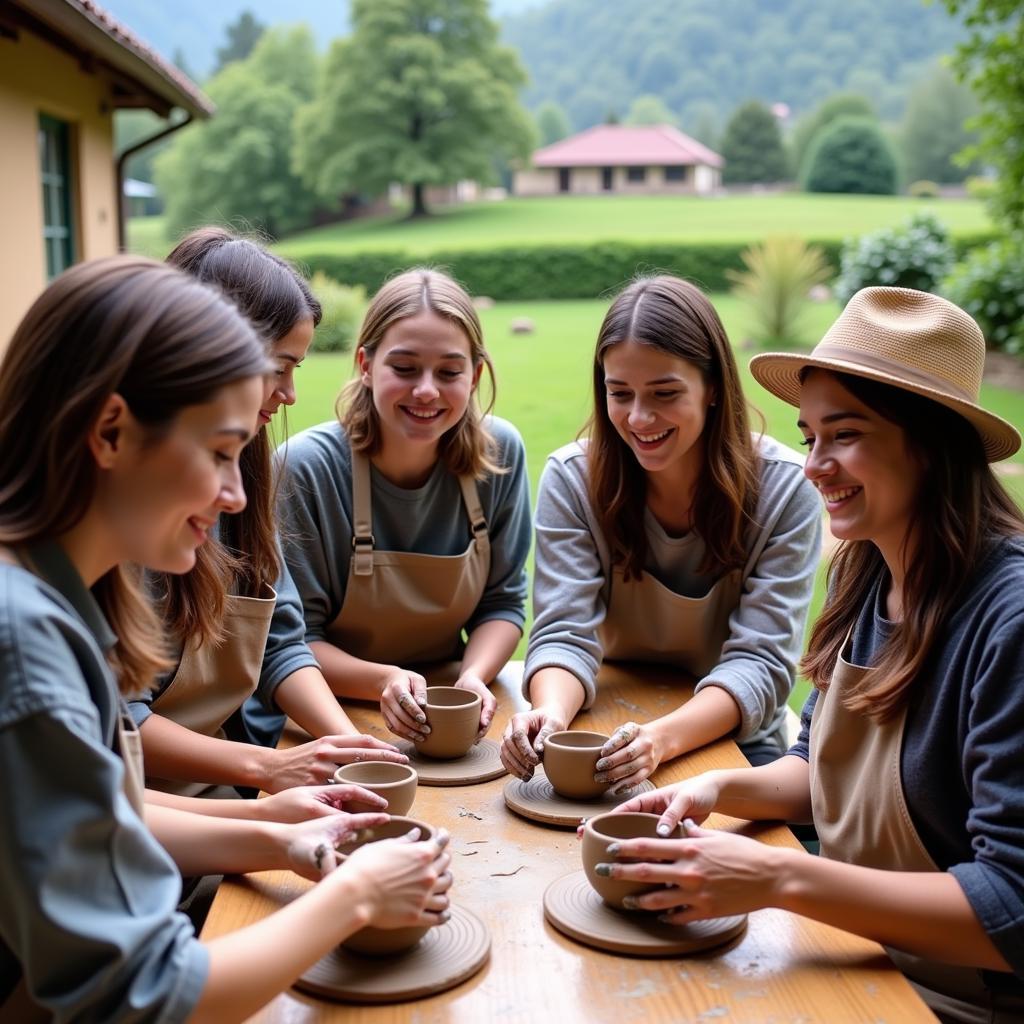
[[250, 967]]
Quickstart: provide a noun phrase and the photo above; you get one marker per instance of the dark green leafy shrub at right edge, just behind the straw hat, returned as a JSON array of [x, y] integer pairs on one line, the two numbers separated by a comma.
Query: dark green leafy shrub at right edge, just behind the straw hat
[[990, 285]]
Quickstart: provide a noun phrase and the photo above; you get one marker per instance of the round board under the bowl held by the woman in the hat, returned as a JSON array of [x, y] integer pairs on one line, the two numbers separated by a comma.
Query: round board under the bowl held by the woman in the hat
[[573, 907]]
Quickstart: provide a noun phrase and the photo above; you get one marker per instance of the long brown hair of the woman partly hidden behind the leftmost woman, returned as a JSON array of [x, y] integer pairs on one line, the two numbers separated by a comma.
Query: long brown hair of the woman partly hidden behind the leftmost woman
[[274, 297]]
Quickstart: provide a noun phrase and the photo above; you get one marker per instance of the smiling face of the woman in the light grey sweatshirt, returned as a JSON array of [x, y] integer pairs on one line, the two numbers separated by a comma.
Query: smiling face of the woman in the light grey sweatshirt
[[658, 403]]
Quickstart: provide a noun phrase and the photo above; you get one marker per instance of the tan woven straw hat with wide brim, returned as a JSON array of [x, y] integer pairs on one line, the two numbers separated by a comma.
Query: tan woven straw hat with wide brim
[[912, 340]]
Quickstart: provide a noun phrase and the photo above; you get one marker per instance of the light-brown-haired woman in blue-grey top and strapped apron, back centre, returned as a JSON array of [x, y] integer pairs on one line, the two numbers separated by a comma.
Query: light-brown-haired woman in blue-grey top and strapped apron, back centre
[[408, 522]]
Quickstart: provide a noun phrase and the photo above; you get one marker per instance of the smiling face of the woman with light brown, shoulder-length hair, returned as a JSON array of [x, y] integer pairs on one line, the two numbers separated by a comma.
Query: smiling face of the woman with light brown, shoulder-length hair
[[422, 378]]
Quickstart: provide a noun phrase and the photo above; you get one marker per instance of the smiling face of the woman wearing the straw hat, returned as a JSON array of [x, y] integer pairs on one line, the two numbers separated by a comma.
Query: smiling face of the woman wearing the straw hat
[[860, 462]]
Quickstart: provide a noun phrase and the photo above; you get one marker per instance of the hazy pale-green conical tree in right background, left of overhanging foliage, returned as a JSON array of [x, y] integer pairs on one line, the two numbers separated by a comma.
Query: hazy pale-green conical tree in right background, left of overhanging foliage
[[934, 129]]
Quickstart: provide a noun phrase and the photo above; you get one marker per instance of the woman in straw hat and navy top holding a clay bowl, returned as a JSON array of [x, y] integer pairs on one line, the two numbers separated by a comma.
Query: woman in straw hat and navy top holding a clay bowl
[[909, 760]]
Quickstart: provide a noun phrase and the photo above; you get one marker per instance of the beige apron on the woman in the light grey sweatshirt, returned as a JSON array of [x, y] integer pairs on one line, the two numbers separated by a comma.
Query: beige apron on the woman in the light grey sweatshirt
[[648, 622]]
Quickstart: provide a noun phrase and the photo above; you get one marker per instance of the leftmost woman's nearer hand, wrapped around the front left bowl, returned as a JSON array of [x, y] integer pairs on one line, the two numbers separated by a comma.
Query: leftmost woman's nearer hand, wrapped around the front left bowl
[[404, 882]]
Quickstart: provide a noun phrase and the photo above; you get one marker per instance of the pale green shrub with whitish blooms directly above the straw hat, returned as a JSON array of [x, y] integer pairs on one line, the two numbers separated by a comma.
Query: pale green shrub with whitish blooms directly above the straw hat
[[917, 255]]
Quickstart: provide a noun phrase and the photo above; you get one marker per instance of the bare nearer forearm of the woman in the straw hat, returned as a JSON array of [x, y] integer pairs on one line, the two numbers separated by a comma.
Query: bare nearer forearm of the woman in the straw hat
[[925, 914]]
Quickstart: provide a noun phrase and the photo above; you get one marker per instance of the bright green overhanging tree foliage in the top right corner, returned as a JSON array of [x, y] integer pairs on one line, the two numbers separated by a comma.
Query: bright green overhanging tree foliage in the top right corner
[[991, 63]]
